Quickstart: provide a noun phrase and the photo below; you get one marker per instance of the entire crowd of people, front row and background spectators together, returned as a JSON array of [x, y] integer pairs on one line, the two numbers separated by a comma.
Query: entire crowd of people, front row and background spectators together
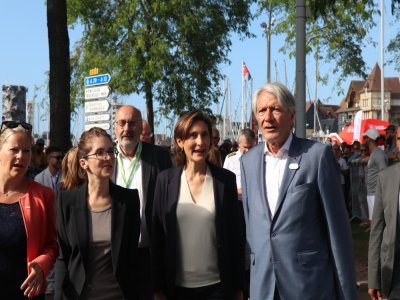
[[232, 220]]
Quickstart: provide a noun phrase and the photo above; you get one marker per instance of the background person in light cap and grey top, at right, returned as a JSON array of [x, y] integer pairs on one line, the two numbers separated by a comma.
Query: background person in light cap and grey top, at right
[[376, 162]]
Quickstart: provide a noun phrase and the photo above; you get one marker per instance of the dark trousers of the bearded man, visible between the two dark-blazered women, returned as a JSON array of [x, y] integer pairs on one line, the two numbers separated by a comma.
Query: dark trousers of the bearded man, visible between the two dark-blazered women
[[144, 280]]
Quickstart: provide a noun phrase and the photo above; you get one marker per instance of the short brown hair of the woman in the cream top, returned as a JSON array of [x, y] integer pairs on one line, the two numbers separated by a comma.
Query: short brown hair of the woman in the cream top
[[182, 129]]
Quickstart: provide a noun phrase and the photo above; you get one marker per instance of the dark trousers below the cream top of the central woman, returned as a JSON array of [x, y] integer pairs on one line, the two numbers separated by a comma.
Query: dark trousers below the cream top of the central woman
[[209, 292]]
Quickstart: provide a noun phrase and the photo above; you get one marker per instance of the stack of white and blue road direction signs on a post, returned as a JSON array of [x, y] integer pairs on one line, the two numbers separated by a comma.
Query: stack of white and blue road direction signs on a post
[[96, 103]]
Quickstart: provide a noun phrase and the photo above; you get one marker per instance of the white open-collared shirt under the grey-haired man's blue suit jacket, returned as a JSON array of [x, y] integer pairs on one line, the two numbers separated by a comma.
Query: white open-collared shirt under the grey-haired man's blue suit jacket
[[274, 169]]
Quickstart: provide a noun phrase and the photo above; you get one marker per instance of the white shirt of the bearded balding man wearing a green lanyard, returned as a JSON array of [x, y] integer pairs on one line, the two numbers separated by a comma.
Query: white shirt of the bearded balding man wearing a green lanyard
[[136, 183]]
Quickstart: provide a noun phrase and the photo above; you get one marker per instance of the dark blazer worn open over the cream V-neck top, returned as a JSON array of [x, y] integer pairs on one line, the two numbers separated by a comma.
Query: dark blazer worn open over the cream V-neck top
[[230, 236]]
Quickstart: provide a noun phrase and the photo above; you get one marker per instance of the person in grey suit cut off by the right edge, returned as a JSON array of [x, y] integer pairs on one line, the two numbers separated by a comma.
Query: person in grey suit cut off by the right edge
[[384, 248]]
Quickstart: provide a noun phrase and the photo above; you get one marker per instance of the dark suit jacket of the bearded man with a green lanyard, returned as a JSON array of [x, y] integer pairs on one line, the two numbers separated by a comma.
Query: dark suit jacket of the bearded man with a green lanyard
[[154, 159]]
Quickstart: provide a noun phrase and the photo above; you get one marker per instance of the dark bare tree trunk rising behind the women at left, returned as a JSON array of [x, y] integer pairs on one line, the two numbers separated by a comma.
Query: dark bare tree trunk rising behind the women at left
[[59, 76]]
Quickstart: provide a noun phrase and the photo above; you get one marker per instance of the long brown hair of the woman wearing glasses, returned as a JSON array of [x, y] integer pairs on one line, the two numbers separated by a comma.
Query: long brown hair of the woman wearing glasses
[[73, 174]]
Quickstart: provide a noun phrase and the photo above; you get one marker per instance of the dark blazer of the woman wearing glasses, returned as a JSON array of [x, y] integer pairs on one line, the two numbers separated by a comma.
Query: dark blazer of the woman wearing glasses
[[73, 235]]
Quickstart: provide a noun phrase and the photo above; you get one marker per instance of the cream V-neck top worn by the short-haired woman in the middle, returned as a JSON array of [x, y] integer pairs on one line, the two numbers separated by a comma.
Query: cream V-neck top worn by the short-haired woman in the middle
[[197, 263]]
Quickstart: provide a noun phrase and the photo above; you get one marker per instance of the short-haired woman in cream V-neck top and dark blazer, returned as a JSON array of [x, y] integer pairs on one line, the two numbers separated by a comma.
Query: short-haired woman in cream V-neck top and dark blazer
[[197, 238]]
